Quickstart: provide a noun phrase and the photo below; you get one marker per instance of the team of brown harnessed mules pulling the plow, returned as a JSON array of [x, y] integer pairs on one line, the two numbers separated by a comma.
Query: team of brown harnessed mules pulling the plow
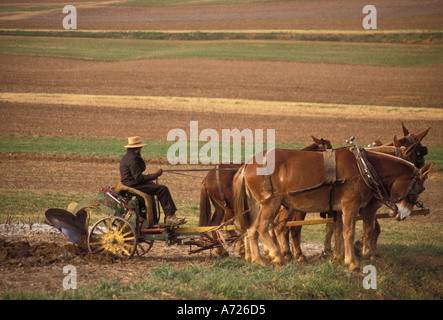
[[301, 183]]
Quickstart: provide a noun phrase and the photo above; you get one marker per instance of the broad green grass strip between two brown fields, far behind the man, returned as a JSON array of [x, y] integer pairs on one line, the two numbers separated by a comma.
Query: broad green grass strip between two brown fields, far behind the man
[[330, 52]]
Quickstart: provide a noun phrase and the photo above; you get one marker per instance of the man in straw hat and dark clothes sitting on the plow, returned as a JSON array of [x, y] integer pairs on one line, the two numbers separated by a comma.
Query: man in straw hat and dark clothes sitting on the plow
[[131, 173]]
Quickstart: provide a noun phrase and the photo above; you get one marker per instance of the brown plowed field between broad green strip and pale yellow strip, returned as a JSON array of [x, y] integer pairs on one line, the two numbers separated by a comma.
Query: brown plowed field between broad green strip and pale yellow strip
[[226, 78]]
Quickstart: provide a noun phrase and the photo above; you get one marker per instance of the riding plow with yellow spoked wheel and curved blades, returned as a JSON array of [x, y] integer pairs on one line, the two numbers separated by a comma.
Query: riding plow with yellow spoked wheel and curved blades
[[123, 233]]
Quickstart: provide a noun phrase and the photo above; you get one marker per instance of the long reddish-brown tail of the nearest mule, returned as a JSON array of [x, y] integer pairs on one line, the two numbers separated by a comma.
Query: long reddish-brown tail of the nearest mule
[[240, 198]]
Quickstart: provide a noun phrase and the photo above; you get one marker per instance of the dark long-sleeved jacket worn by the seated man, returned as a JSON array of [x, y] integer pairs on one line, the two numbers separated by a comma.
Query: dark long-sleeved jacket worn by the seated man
[[131, 168]]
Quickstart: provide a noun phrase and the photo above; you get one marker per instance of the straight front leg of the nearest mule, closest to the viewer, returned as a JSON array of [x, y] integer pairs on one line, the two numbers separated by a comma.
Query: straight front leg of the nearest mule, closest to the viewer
[[350, 212]]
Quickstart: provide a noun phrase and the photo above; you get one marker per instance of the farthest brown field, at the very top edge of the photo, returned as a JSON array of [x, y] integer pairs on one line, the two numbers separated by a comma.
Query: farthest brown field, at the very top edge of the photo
[[335, 15]]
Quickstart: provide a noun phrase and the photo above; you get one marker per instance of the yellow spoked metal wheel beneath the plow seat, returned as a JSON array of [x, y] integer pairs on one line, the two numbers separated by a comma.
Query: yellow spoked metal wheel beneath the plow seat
[[114, 236]]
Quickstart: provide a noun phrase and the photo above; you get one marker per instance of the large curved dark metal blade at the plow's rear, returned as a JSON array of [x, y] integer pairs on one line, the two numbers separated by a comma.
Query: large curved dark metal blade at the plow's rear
[[70, 225]]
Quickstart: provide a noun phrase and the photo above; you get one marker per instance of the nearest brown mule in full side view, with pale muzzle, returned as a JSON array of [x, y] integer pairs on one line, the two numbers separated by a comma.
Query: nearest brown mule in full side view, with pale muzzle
[[297, 185]]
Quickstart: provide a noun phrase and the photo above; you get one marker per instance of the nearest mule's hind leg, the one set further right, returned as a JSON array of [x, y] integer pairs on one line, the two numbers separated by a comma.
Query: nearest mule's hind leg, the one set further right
[[265, 218]]
